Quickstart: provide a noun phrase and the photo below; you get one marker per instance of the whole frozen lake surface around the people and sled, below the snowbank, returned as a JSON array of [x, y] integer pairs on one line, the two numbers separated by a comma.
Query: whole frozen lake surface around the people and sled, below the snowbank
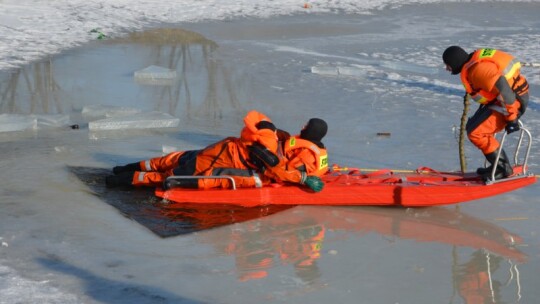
[[64, 240]]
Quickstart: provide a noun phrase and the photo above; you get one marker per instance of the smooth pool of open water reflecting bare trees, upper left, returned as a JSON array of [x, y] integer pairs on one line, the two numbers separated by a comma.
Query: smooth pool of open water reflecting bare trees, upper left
[[170, 71]]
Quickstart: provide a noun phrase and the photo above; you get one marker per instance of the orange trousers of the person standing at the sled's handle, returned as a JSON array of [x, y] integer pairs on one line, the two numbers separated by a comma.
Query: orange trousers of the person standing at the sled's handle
[[483, 136]]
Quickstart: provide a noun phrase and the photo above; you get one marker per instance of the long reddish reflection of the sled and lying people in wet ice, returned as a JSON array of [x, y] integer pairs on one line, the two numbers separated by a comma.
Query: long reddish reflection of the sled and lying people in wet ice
[[301, 236]]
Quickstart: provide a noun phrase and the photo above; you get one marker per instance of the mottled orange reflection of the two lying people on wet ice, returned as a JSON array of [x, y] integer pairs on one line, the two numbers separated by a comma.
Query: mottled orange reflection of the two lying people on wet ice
[[257, 248]]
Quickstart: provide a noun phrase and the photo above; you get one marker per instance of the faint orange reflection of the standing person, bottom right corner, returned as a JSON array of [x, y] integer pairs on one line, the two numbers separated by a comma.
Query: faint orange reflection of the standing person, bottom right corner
[[473, 280]]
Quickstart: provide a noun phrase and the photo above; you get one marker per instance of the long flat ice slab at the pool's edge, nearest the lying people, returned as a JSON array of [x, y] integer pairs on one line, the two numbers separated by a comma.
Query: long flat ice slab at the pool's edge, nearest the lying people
[[136, 121]]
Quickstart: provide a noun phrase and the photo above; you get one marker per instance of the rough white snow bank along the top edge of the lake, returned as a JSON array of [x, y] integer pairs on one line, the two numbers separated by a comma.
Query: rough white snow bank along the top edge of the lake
[[65, 24]]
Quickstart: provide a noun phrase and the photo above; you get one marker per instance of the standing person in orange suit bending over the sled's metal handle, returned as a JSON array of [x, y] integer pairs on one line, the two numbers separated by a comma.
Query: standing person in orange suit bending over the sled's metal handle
[[493, 79]]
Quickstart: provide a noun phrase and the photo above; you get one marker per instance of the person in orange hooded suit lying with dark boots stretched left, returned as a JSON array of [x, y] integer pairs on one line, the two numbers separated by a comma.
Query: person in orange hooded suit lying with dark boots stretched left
[[246, 159]]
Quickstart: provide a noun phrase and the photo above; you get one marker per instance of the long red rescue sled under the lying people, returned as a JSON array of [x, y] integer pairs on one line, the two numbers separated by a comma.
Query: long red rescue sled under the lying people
[[420, 188]]
